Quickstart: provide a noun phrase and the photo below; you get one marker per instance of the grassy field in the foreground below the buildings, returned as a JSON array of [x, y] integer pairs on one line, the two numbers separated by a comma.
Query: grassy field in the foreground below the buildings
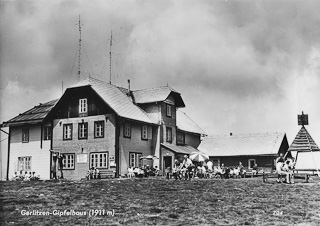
[[160, 202]]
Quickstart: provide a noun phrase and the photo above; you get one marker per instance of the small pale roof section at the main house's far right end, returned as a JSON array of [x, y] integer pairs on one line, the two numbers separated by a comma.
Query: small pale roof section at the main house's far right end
[[187, 124]]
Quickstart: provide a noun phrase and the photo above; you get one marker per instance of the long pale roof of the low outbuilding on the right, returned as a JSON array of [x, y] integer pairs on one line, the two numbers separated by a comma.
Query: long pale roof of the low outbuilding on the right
[[239, 145]]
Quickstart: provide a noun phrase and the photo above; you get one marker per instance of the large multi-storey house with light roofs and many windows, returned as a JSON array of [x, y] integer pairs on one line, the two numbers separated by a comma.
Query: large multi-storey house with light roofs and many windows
[[97, 124]]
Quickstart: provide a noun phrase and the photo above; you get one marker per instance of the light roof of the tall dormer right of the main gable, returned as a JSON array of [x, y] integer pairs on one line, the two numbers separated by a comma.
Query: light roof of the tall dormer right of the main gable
[[159, 94]]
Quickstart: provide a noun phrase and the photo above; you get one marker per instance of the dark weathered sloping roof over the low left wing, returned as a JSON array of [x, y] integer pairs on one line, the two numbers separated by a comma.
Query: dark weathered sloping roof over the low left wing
[[32, 116]]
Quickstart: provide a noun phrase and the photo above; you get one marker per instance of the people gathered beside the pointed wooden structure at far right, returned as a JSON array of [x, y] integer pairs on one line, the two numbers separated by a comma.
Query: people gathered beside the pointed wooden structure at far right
[[285, 167]]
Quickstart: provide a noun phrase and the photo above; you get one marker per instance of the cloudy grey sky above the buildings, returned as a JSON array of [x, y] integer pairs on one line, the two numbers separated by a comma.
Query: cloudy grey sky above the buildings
[[241, 66]]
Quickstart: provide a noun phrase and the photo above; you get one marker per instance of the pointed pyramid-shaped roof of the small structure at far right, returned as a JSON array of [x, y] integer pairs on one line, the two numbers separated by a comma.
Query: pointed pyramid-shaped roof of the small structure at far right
[[303, 142]]
